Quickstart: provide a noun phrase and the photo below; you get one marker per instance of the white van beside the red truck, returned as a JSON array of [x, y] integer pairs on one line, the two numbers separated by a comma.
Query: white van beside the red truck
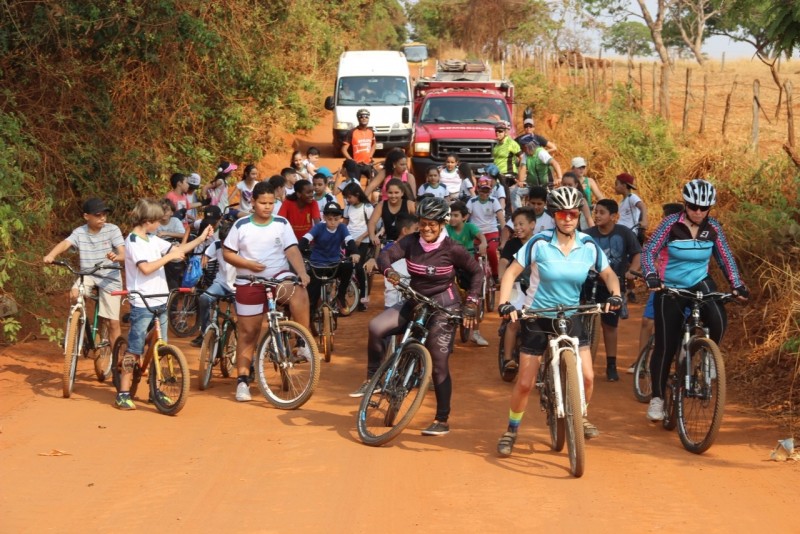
[[379, 81]]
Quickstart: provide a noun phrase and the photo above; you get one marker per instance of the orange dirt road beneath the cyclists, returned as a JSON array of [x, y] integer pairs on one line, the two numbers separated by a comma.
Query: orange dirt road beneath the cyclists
[[224, 466]]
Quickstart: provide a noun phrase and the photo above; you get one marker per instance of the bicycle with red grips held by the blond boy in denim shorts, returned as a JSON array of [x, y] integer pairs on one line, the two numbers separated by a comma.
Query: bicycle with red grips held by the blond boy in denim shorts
[[165, 364]]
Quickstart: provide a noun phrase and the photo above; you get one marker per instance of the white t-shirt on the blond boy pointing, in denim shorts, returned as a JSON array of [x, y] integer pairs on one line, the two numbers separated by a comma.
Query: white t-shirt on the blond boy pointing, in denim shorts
[[139, 250]]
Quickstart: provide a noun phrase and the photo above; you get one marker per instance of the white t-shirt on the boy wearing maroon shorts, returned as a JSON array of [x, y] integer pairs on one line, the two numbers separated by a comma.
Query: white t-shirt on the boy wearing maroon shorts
[[264, 243]]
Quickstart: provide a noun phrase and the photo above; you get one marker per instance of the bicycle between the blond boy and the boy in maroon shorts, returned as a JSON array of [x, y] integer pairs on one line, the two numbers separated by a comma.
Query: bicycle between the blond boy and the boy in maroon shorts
[[219, 341]]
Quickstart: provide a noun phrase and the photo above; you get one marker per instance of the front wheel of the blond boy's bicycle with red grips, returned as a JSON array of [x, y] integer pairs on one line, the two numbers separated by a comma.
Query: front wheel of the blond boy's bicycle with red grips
[[169, 391]]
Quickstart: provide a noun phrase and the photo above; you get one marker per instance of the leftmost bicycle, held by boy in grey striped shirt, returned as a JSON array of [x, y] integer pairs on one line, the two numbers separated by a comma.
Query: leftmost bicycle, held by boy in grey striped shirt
[[81, 336]]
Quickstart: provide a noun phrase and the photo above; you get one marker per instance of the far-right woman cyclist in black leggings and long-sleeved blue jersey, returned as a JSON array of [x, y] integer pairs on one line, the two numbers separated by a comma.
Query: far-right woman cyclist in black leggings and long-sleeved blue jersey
[[690, 238]]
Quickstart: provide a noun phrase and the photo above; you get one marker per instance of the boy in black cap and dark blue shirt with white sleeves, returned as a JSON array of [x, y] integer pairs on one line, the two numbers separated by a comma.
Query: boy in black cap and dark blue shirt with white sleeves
[[329, 237]]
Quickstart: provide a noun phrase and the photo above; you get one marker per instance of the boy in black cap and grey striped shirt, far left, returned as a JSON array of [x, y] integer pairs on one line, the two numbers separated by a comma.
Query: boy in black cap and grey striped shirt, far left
[[97, 241]]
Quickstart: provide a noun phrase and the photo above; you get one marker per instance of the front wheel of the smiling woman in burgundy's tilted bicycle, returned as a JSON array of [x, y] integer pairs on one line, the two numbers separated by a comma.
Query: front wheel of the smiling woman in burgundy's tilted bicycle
[[394, 395]]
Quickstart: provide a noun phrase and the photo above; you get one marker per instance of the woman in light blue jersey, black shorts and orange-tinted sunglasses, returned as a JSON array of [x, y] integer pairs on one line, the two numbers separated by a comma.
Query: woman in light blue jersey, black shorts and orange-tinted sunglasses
[[560, 261]]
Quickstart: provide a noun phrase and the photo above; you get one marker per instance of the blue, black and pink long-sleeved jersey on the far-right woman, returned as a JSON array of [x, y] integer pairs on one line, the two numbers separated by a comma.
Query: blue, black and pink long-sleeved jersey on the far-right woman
[[686, 262]]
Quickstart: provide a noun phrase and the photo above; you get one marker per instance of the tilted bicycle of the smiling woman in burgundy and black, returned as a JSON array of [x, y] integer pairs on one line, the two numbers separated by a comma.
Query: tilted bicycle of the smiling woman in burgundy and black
[[386, 409]]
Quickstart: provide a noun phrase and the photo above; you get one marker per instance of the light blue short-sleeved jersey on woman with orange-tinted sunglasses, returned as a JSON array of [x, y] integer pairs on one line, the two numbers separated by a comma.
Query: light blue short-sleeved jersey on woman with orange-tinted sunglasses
[[556, 279]]
